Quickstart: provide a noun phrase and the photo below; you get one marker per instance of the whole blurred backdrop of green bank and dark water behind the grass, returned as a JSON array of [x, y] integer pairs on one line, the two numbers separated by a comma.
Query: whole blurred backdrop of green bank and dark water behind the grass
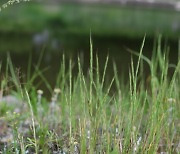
[[58, 27]]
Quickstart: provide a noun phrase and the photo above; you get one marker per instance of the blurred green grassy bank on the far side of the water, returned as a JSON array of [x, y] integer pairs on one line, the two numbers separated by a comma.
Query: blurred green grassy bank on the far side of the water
[[109, 20]]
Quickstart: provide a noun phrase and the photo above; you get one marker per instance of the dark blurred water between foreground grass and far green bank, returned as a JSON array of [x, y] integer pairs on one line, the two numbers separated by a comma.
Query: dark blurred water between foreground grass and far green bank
[[115, 48]]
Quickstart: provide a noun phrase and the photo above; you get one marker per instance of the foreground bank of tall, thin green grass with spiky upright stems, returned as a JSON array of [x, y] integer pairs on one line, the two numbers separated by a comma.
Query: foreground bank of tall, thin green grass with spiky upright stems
[[85, 116]]
